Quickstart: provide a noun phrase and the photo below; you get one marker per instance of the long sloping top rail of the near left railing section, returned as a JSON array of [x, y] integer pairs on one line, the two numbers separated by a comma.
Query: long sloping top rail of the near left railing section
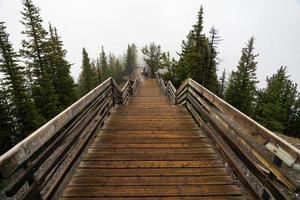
[[13, 158]]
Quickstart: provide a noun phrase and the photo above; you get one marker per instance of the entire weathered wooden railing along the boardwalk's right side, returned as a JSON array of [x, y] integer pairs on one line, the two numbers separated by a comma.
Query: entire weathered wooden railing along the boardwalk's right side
[[265, 153]]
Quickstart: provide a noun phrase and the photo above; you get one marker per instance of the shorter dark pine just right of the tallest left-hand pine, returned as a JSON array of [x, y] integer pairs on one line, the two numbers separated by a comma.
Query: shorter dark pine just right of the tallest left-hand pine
[[62, 79]]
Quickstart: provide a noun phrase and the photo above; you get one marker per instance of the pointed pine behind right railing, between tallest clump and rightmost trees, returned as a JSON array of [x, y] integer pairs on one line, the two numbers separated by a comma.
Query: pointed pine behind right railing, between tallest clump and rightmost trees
[[241, 89]]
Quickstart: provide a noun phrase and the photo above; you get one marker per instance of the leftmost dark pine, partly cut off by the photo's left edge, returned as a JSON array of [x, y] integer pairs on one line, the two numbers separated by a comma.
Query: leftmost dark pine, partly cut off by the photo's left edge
[[23, 110]]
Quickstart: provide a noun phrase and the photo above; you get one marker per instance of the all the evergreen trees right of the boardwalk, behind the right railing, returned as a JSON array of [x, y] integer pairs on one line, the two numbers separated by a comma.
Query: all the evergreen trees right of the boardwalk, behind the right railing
[[276, 107]]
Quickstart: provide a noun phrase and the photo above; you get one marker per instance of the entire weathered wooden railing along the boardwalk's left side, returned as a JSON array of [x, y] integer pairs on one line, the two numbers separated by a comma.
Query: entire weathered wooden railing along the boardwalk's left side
[[35, 167]]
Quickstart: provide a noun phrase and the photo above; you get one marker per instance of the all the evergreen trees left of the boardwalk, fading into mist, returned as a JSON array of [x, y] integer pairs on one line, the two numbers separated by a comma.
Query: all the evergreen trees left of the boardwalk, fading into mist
[[35, 81]]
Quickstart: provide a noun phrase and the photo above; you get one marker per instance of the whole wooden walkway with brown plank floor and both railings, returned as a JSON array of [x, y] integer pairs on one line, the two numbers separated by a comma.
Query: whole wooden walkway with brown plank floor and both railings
[[135, 143]]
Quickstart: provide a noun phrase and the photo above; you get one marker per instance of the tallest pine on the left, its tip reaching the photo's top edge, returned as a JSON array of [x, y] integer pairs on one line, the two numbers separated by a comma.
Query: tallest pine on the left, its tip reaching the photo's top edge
[[34, 50]]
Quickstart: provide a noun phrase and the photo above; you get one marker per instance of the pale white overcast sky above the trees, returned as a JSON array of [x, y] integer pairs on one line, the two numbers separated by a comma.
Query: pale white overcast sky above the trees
[[115, 23]]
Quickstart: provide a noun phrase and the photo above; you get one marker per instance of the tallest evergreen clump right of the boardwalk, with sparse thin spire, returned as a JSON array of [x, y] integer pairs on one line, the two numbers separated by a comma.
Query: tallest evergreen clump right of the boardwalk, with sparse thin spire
[[198, 56]]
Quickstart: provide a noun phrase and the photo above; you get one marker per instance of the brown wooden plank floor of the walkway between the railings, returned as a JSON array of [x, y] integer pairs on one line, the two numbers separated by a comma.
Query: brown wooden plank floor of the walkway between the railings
[[151, 149]]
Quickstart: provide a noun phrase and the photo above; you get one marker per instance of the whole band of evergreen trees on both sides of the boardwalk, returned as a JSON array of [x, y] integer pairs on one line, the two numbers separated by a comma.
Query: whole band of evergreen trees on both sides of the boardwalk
[[36, 83]]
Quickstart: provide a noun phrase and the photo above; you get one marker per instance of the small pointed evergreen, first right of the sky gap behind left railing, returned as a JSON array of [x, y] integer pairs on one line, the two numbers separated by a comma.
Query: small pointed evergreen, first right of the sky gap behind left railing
[[88, 78]]
